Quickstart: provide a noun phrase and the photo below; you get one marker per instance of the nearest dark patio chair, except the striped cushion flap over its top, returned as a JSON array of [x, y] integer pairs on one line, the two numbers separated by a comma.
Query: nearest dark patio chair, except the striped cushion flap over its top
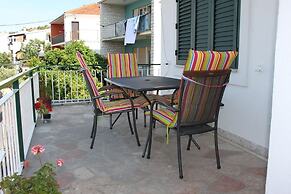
[[198, 108]]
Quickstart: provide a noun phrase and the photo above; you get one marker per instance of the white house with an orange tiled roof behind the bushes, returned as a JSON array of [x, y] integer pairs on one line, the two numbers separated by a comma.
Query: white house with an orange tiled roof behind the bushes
[[78, 24]]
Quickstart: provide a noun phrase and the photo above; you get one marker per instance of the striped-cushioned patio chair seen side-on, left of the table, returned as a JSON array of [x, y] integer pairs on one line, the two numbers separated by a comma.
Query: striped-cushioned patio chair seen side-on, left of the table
[[125, 105]]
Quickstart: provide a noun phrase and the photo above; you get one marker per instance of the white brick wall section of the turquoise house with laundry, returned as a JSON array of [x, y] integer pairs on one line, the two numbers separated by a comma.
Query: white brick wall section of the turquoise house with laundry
[[109, 15]]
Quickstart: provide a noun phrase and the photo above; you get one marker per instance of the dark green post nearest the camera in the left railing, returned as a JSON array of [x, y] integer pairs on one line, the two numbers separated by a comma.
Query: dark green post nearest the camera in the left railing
[[18, 118]]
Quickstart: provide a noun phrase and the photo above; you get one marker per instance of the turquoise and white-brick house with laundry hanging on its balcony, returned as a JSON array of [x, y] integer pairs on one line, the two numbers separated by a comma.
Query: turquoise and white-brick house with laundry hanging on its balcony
[[113, 16]]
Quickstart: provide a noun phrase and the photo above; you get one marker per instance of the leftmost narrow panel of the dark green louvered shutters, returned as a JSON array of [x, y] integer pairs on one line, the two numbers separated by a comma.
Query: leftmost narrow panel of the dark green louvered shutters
[[184, 29]]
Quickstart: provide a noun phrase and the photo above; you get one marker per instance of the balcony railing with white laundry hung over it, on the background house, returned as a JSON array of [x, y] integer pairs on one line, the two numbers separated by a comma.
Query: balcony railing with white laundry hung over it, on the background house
[[118, 29]]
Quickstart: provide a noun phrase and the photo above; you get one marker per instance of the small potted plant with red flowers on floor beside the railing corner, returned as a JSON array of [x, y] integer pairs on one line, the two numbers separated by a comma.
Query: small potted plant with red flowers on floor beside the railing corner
[[44, 107]]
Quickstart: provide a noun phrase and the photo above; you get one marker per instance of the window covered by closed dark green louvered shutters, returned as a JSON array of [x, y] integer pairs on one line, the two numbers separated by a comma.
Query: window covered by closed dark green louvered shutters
[[207, 25]]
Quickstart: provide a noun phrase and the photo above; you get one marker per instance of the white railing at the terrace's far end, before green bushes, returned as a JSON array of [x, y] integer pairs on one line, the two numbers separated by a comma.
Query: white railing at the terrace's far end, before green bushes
[[68, 86]]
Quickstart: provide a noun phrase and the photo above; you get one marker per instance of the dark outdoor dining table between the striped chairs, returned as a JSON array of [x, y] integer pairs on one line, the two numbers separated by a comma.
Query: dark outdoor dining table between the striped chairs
[[145, 84]]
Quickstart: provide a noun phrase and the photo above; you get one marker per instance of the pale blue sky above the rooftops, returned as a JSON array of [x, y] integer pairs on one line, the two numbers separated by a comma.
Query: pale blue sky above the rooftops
[[25, 11]]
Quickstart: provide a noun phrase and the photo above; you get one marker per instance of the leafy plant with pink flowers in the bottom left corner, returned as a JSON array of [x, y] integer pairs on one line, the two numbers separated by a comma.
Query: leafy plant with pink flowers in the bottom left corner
[[42, 181]]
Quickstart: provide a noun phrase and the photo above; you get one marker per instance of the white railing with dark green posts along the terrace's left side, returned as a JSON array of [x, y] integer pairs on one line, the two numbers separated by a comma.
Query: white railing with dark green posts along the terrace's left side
[[17, 120]]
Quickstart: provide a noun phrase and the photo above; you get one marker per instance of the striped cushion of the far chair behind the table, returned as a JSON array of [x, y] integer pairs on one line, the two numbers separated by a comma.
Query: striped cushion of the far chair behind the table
[[122, 65]]
